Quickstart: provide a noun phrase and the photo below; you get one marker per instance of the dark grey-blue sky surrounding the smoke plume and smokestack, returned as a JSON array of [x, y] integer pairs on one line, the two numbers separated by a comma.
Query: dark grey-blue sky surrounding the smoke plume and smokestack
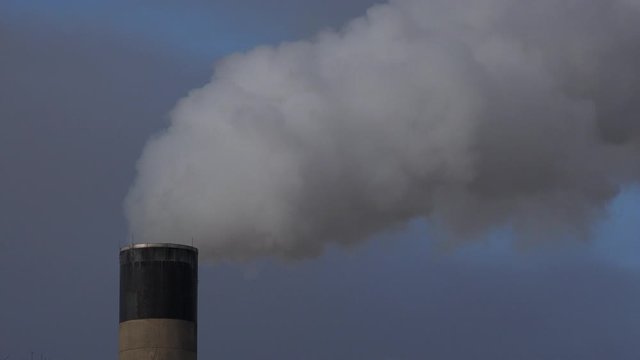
[[83, 84]]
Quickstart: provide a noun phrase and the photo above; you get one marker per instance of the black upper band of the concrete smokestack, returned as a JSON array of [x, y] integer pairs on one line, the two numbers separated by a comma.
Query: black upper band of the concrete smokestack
[[158, 281]]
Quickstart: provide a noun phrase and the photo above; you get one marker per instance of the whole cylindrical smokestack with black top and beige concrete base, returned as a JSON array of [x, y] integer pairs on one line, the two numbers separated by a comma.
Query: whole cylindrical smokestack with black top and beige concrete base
[[158, 302]]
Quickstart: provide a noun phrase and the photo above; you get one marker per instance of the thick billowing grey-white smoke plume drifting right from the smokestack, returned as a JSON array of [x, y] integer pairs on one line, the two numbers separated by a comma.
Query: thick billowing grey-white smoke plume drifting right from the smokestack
[[470, 113]]
